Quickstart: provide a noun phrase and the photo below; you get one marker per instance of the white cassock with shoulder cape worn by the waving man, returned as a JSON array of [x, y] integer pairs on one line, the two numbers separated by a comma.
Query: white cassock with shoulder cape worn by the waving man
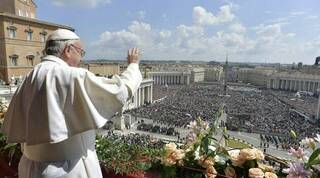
[[54, 113]]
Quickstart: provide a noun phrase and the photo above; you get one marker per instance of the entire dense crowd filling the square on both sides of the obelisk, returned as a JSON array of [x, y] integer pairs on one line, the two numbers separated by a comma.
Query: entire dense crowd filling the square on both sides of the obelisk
[[249, 109]]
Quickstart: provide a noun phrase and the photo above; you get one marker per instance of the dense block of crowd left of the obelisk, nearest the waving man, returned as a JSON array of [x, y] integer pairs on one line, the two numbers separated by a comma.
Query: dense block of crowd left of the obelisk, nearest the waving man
[[181, 106]]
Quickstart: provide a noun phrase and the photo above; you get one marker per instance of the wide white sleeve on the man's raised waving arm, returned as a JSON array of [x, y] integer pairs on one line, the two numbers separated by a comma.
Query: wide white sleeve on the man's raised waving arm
[[108, 96]]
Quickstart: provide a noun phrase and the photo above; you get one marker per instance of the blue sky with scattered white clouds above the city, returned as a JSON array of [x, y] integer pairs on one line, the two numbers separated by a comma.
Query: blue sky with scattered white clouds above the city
[[284, 31]]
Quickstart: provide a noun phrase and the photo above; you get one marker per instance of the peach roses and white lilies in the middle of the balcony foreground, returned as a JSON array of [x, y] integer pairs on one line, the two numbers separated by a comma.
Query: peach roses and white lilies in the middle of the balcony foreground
[[203, 155]]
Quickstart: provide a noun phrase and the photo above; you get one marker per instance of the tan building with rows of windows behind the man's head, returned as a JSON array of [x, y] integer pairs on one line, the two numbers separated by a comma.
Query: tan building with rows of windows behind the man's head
[[22, 38]]
